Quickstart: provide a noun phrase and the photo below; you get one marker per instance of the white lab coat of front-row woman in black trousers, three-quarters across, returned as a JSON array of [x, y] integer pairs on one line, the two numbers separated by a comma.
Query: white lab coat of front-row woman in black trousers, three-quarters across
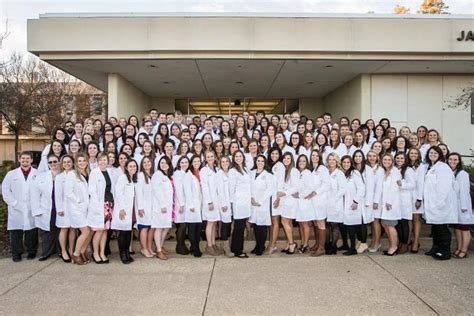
[[355, 192]]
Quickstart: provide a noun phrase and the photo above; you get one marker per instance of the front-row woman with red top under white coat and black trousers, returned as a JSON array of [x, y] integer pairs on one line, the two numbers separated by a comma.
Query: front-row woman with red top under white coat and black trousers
[[194, 202]]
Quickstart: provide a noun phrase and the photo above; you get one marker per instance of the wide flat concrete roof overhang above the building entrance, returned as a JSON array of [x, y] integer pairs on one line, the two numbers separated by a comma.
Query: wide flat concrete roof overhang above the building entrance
[[255, 56]]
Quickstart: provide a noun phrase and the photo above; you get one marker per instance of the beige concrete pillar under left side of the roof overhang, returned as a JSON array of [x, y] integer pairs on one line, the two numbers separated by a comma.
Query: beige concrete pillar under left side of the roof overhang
[[125, 99]]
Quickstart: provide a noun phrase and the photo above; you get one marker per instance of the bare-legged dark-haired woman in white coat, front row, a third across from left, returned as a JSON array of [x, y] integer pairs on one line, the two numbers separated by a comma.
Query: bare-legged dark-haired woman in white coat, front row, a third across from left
[[163, 191]]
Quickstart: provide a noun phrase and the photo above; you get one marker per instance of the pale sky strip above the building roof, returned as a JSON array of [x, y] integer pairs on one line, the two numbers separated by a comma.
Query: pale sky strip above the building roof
[[18, 11]]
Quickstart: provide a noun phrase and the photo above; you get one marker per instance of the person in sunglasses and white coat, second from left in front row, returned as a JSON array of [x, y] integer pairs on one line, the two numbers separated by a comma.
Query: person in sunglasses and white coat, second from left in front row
[[43, 190]]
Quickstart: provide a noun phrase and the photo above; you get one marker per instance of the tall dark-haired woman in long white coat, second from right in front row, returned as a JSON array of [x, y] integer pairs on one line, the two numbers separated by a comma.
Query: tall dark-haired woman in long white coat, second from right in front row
[[440, 203]]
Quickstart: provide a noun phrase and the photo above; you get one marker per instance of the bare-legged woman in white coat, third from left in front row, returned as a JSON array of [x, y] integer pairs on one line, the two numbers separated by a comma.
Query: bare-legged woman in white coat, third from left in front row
[[67, 235]]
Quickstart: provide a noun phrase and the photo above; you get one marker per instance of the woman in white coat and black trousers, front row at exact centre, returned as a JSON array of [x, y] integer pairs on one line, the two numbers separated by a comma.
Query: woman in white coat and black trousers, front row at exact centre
[[240, 198]]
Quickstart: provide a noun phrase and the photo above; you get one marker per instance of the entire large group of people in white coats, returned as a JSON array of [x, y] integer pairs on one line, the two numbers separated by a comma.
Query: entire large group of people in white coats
[[217, 179]]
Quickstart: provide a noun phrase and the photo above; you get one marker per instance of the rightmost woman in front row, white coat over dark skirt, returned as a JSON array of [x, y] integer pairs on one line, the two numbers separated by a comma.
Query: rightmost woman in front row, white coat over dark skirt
[[464, 206]]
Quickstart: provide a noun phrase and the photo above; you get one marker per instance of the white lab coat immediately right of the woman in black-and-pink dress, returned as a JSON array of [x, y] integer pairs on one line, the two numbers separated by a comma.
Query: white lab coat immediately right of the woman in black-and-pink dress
[[124, 199]]
